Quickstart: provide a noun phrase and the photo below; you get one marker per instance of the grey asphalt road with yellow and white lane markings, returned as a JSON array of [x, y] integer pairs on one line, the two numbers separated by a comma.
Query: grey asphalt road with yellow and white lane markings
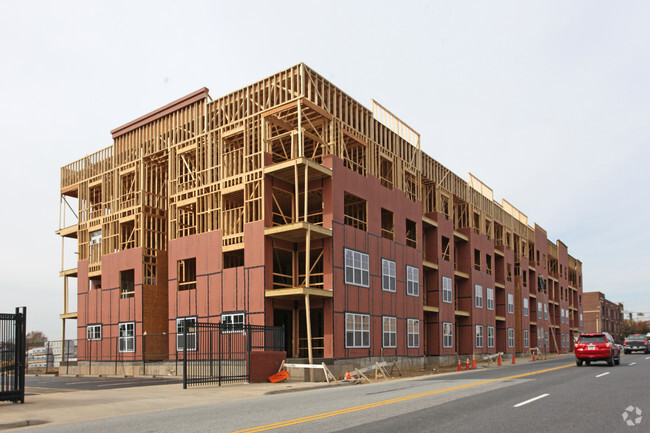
[[537, 397]]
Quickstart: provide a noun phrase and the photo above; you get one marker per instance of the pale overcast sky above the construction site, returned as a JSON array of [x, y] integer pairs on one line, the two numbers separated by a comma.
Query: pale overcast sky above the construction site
[[547, 102]]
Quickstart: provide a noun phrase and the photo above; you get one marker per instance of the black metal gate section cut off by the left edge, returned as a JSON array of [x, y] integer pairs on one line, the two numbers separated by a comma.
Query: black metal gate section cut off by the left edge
[[12, 355]]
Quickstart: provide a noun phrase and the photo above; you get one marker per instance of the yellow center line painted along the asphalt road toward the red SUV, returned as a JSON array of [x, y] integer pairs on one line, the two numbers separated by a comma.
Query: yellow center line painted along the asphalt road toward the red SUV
[[391, 401]]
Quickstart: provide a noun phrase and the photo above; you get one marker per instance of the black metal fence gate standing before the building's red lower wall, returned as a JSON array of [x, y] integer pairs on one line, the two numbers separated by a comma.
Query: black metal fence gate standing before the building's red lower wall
[[220, 353]]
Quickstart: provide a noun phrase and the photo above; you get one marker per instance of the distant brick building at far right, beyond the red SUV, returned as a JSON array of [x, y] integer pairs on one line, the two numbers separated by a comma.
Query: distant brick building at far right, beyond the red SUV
[[603, 315]]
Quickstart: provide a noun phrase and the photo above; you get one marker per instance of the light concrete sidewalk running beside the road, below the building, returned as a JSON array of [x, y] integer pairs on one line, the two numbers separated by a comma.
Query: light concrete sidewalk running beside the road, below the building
[[76, 406]]
